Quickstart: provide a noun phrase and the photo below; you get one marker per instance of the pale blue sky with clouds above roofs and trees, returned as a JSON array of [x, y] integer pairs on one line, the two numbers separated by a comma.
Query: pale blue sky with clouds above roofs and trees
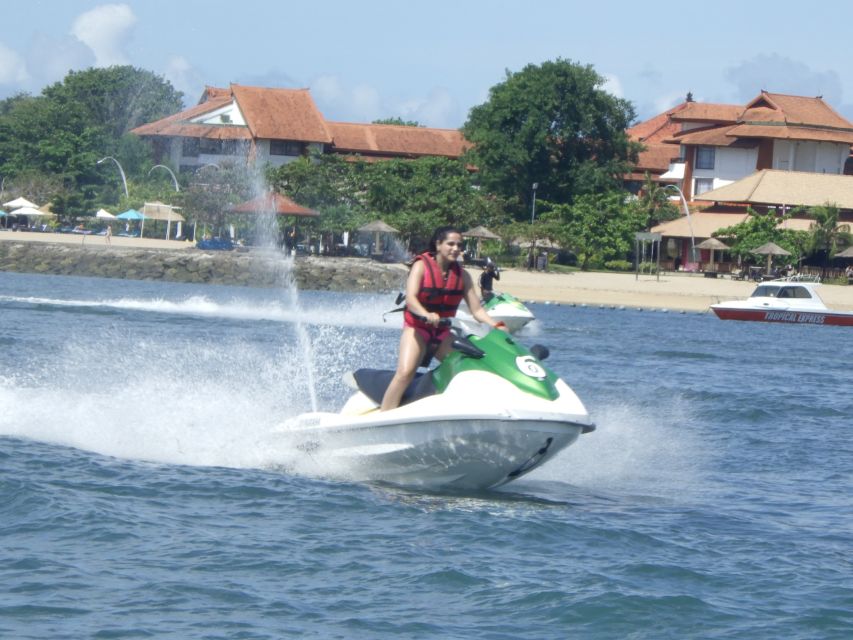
[[433, 61]]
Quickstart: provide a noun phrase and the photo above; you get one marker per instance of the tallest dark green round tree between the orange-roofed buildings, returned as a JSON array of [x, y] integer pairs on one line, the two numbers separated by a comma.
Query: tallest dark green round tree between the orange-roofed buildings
[[552, 124]]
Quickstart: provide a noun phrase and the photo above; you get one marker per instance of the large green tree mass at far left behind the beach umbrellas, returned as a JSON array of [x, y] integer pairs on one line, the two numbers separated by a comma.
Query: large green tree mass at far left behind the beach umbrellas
[[73, 123]]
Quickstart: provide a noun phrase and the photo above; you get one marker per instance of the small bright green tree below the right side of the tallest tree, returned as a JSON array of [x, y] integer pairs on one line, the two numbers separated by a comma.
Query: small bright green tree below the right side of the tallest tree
[[599, 228]]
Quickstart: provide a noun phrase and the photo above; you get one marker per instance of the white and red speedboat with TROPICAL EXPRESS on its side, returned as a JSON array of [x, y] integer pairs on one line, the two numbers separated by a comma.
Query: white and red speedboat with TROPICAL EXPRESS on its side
[[783, 301]]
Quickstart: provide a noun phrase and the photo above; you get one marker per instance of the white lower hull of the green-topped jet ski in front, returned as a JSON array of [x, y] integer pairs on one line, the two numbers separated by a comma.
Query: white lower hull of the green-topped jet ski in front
[[452, 453]]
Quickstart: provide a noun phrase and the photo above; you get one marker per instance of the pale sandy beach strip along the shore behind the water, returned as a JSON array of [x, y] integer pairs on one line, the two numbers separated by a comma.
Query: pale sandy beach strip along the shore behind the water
[[674, 291]]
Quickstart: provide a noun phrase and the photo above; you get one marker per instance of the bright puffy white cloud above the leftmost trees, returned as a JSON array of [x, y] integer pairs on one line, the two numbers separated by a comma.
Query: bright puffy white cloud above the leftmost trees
[[105, 30]]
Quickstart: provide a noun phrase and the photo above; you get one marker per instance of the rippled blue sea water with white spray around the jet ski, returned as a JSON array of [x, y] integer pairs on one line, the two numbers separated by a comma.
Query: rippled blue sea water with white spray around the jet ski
[[140, 498]]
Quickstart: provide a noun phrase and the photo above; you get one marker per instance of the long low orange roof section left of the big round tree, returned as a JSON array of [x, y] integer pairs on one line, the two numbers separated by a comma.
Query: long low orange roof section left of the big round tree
[[397, 140]]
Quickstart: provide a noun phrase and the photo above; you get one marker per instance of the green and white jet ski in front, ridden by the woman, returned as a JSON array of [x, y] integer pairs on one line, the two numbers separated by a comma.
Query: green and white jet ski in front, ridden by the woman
[[488, 414]]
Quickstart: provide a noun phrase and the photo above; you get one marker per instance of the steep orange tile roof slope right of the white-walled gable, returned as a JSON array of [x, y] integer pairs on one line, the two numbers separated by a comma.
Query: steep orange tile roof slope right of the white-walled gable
[[281, 114]]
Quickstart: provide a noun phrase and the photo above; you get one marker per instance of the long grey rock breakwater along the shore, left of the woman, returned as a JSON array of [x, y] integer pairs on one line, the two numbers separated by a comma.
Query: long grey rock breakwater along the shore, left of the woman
[[252, 268]]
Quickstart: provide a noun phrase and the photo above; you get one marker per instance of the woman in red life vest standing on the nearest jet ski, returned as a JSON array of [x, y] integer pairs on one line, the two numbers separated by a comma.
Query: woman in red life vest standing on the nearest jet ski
[[436, 285]]
